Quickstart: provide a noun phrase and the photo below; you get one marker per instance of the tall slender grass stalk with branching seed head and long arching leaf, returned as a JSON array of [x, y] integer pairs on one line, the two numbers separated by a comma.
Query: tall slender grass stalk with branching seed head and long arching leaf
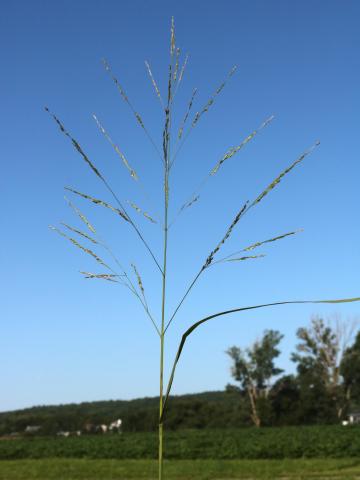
[[168, 153]]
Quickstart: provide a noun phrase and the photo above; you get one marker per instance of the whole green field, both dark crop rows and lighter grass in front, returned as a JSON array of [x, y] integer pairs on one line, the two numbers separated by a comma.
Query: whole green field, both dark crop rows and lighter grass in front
[[269, 453]]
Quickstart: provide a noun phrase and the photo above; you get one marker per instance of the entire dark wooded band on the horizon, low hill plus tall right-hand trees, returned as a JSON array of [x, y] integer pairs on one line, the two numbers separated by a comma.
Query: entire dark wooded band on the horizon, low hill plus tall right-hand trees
[[324, 389]]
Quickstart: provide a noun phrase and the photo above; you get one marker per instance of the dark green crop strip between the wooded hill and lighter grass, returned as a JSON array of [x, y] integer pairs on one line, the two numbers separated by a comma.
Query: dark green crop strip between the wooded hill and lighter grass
[[236, 444]]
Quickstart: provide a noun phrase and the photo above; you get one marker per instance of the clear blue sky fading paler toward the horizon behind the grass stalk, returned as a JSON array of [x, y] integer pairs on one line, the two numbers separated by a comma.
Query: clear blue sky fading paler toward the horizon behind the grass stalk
[[66, 339]]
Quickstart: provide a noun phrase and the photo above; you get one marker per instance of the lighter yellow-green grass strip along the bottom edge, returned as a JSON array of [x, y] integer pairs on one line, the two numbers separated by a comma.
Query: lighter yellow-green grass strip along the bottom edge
[[81, 469]]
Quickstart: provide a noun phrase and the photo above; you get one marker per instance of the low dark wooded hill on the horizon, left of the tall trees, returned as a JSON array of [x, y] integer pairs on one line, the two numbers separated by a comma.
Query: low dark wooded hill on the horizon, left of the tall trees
[[202, 410]]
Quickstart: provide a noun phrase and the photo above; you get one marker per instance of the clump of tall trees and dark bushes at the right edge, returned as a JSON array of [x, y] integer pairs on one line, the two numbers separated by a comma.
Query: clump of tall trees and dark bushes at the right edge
[[324, 389]]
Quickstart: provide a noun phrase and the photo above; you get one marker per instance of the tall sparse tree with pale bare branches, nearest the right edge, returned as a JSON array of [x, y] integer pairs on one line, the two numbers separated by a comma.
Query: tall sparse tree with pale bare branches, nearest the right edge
[[319, 355]]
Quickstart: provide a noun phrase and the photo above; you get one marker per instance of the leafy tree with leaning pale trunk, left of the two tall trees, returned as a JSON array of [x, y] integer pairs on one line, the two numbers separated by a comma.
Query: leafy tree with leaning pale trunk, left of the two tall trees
[[254, 369]]
